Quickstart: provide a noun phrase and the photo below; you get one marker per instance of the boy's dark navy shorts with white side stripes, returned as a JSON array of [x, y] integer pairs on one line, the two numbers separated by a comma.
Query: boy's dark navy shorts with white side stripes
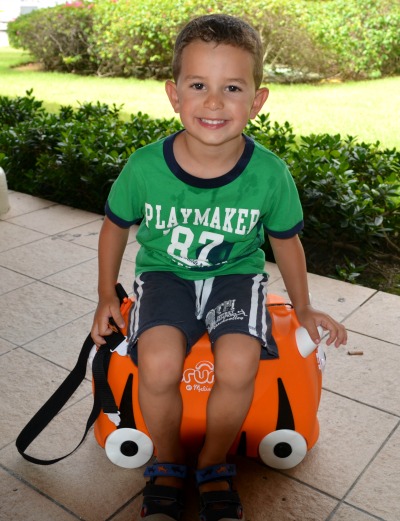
[[217, 305]]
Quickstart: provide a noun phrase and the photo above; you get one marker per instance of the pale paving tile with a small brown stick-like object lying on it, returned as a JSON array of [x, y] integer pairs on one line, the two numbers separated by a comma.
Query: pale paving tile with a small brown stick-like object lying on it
[[371, 378]]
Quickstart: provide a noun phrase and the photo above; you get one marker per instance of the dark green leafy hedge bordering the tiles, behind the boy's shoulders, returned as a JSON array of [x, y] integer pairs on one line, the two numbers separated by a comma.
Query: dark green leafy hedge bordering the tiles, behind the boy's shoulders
[[350, 191]]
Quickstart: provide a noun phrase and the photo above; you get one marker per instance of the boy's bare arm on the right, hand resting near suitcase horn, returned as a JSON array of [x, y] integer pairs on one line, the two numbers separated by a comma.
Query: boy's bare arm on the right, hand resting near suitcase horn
[[290, 258]]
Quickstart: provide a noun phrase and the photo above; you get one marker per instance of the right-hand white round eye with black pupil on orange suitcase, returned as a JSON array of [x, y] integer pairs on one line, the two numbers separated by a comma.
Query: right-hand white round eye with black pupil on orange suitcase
[[282, 449]]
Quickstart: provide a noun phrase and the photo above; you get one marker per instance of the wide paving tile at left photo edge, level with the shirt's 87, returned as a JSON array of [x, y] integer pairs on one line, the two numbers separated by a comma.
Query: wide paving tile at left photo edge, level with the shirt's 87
[[45, 257]]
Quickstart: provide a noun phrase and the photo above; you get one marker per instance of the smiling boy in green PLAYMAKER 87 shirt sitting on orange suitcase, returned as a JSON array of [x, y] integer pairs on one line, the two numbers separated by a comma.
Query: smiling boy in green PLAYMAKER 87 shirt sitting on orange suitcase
[[204, 197]]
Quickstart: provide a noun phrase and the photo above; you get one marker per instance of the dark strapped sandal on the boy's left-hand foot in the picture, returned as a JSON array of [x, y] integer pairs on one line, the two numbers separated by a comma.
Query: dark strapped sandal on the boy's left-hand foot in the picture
[[162, 502]]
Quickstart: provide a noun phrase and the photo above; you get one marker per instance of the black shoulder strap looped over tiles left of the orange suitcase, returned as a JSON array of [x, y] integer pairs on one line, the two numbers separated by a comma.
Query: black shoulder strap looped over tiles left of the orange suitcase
[[103, 397]]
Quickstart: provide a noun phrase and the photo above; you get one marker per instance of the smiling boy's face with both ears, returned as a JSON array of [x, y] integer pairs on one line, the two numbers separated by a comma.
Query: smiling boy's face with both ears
[[215, 93]]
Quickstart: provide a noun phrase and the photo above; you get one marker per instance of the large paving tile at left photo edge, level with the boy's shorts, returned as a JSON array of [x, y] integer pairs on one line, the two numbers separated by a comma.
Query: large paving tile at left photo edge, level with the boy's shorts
[[36, 309]]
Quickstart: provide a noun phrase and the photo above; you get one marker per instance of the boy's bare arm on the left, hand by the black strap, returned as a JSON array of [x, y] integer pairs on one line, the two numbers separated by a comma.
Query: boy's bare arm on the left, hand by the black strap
[[112, 243]]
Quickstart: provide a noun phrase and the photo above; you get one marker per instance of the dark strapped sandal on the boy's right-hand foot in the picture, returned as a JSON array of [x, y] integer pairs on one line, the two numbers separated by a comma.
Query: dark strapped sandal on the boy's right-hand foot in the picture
[[219, 505]]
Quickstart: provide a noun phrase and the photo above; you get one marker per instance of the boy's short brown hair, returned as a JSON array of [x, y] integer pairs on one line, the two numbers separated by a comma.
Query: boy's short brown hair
[[220, 29]]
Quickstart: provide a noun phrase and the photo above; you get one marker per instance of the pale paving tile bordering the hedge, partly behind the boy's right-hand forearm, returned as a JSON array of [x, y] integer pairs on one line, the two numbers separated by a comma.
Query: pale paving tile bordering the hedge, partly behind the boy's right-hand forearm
[[334, 297]]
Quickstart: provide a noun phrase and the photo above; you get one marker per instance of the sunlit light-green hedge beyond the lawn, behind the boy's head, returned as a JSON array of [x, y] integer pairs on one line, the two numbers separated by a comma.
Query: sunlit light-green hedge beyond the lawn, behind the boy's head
[[303, 40]]
